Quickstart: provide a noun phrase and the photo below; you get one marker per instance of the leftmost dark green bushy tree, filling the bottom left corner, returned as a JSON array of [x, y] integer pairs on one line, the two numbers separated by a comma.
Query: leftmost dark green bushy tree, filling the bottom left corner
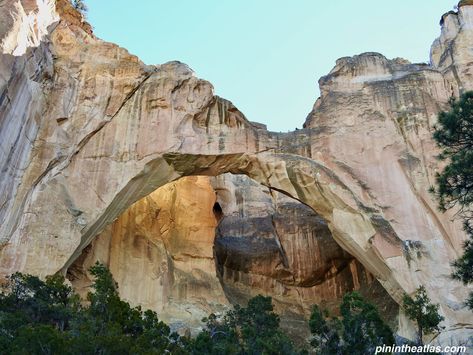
[[35, 314]]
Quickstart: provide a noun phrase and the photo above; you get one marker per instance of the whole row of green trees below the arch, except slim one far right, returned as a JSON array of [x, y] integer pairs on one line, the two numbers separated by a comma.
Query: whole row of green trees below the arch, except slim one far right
[[47, 317]]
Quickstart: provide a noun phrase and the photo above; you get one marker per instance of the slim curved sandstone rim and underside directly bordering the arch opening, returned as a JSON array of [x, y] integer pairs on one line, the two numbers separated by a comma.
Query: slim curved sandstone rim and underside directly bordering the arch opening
[[302, 179]]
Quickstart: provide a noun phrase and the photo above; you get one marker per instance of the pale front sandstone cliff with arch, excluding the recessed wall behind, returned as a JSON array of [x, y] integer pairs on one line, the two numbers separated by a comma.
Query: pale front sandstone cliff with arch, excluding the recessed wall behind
[[87, 130]]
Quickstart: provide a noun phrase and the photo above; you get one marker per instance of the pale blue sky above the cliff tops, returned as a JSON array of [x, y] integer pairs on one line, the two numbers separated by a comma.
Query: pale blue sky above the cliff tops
[[266, 56]]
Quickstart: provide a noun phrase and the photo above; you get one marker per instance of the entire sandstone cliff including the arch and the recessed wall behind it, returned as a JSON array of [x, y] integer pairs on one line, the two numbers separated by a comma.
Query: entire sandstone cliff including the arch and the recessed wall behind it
[[87, 130]]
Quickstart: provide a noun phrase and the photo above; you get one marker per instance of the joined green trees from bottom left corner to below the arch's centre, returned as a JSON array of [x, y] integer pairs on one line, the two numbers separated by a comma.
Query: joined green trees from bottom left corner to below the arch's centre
[[47, 317]]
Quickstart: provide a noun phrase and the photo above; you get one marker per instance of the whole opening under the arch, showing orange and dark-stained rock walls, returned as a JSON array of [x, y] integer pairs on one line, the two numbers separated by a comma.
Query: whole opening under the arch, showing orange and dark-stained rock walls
[[200, 244]]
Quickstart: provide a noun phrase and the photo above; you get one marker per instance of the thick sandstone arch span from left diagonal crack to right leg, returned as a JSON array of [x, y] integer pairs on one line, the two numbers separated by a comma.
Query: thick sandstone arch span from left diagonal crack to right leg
[[171, 125]]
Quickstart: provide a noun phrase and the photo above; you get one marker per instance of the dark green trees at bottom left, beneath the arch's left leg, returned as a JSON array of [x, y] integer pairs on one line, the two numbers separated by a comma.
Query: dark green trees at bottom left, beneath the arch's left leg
[[39, 317]]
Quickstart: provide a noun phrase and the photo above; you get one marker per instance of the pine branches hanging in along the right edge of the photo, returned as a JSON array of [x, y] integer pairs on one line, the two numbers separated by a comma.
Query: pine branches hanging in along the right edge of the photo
[[454, 135]]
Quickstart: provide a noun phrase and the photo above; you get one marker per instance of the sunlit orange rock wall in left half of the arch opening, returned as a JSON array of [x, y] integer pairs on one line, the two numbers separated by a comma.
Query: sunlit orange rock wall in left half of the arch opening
[[160, 251]]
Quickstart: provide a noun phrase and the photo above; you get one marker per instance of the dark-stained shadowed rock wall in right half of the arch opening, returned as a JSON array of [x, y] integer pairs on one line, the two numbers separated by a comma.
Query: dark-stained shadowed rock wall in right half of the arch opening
[[267, 243]]
